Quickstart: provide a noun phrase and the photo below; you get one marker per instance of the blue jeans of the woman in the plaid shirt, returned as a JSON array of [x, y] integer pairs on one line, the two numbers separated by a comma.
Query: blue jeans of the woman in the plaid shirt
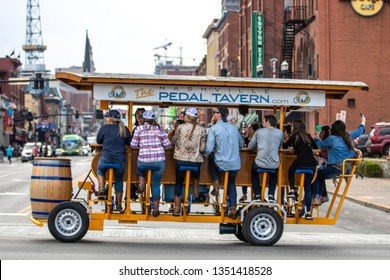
[[157, 168]]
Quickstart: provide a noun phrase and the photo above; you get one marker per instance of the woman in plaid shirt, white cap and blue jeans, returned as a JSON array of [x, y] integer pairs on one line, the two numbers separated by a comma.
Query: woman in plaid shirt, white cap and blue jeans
[[151, 140]]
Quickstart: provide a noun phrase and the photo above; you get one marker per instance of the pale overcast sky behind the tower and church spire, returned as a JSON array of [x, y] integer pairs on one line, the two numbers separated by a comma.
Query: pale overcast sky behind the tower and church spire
[[122, 33]]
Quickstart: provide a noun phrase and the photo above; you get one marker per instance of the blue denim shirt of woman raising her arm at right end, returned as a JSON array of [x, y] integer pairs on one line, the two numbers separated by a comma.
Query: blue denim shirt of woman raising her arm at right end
[[337, 149]]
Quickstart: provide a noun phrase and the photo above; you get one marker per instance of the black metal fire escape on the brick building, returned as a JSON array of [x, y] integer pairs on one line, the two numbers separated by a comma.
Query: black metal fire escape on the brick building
[[295, 20]]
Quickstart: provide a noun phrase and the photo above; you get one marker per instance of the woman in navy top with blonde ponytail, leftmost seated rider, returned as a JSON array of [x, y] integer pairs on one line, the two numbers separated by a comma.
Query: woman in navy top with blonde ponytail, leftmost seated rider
[[113, 135]]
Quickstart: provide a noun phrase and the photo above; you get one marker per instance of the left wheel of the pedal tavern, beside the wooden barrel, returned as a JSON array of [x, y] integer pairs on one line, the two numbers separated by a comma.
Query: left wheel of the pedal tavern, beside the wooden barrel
[[75, 215]]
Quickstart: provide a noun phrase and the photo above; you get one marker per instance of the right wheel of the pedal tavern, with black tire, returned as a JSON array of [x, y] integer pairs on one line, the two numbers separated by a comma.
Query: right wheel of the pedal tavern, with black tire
[[262, 226]]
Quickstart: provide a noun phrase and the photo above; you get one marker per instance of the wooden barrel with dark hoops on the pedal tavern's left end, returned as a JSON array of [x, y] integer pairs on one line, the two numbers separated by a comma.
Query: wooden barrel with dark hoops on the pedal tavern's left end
[[51, 184]]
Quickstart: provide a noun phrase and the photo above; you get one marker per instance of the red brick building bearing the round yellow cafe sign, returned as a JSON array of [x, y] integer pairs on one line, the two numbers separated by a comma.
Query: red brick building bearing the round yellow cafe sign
[[339, 43]]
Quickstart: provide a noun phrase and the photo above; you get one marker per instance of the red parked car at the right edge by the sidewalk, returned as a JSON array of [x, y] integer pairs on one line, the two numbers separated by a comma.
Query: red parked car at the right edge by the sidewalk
[[379, 139]]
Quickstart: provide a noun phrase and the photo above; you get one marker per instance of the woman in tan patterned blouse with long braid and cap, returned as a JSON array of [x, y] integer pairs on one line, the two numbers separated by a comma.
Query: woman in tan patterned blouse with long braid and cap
[[189, 141]]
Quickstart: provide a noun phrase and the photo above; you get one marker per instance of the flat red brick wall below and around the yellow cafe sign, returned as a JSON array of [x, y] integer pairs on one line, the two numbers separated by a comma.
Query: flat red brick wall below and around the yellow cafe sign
[[352, 47]]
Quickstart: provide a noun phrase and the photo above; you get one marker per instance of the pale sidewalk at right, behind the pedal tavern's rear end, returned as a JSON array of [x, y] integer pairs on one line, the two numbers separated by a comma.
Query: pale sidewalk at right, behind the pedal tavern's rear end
[[371, 192]]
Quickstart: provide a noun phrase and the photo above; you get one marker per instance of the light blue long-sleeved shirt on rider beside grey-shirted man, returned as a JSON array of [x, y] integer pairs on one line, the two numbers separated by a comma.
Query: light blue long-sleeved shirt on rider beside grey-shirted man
[[224, 140]]
